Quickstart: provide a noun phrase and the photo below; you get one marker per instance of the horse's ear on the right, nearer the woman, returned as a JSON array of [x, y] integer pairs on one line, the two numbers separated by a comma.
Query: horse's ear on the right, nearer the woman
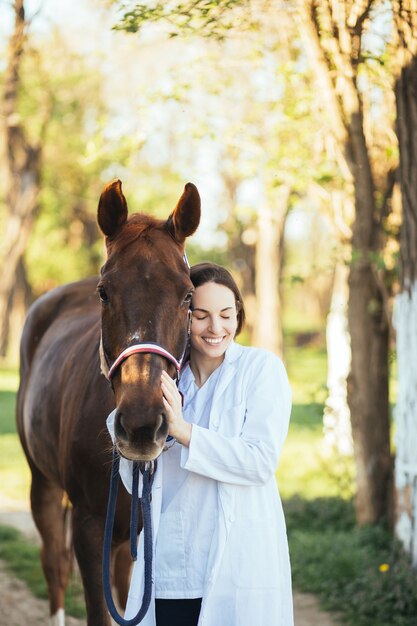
[[185, 218]]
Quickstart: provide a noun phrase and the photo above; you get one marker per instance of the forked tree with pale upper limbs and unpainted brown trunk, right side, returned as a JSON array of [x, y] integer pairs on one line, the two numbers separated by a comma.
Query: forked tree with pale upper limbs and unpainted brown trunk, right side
[[334, 32]]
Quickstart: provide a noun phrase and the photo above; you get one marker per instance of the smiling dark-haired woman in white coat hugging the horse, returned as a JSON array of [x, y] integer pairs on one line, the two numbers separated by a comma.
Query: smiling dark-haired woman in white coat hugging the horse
[[221, 553]]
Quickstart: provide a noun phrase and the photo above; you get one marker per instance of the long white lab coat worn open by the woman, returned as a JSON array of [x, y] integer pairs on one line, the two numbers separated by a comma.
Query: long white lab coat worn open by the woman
[[249, 576]]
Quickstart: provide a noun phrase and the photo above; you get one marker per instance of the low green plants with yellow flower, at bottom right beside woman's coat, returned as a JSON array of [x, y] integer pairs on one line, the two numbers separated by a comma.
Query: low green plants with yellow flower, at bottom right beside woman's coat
[[361, 572]]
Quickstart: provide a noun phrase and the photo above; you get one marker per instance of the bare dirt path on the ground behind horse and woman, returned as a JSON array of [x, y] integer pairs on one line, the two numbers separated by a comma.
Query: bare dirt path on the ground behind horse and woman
[[18, 606]]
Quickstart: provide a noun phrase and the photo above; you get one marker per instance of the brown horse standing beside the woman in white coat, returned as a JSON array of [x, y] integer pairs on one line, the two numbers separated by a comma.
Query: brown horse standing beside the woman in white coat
[[64, 398]]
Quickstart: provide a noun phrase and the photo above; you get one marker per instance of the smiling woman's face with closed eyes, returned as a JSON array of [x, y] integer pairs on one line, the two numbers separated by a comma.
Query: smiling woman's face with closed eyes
[[214, 320]]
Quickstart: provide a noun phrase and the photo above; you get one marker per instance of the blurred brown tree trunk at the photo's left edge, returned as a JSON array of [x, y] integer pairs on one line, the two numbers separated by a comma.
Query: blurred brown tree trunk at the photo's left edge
[[23, 178]]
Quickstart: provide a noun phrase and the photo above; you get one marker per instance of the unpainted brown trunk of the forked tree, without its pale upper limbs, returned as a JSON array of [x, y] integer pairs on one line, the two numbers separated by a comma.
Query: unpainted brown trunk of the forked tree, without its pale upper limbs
[[368, 382]]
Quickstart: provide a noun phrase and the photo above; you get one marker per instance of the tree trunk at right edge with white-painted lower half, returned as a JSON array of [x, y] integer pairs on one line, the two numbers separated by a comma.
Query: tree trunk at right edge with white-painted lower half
[[406, 316]]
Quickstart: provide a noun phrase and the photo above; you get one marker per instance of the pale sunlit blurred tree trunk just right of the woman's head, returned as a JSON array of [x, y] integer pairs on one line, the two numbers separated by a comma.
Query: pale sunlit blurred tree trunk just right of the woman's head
[[270, 231]]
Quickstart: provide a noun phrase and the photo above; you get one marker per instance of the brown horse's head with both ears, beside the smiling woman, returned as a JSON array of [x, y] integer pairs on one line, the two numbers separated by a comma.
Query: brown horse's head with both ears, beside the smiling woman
[[145, 291]]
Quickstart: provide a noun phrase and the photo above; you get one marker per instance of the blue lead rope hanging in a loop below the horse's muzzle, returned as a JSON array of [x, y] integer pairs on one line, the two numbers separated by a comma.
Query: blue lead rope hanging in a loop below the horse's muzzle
[[148, 472]]
